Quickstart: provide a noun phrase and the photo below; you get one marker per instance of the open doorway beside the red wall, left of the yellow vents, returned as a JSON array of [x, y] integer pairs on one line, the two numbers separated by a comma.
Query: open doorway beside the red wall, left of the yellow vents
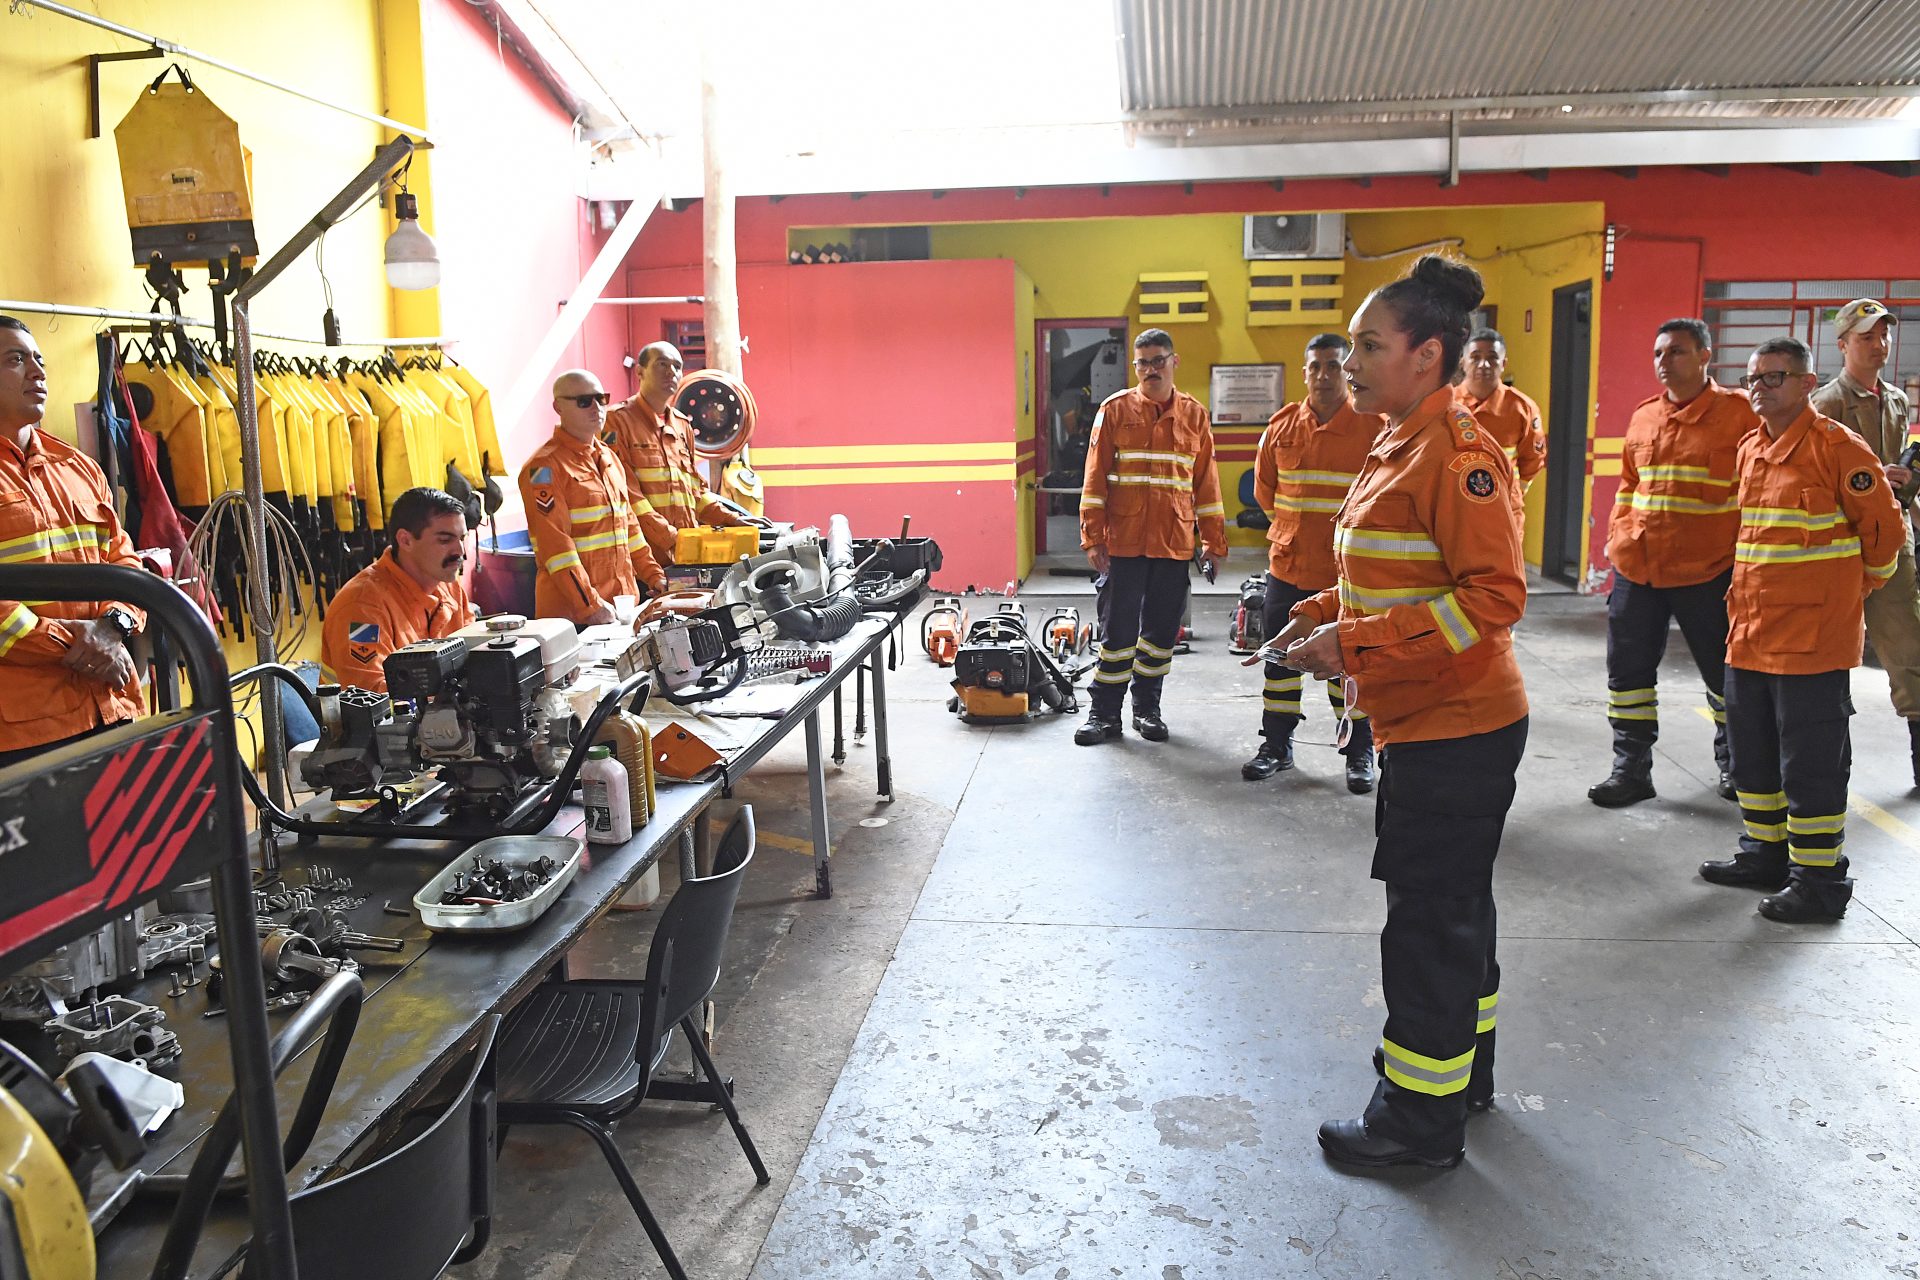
[[1082, 364]]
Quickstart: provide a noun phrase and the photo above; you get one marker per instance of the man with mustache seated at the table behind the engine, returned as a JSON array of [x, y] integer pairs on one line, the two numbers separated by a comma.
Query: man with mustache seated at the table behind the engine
[[410, 594]]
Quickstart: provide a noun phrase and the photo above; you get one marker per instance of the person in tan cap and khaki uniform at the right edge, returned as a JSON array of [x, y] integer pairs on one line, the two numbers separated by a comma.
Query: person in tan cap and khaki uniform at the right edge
[[1877, 412]]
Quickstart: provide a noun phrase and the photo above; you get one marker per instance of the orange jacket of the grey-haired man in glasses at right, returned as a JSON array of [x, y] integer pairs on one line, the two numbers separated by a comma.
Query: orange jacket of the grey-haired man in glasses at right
[[1819, 529]]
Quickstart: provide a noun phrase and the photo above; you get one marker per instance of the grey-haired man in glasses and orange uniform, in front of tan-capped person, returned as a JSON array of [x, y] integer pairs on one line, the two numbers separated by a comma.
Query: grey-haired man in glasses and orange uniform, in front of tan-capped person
[[1819, 529]]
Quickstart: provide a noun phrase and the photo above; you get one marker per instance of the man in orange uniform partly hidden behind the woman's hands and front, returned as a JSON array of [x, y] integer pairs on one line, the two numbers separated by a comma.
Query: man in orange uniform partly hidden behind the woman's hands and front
[[1308, 460]]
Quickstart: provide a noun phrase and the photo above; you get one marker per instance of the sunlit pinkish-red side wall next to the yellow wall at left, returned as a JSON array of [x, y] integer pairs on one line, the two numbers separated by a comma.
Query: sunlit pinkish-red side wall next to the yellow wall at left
[[514, 235]]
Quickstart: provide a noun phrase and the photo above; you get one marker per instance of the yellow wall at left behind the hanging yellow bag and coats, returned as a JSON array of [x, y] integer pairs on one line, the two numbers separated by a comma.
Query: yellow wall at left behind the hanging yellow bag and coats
[[62, 212]]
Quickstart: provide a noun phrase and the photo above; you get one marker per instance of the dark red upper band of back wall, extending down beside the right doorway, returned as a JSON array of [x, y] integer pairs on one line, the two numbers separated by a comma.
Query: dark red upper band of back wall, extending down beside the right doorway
[[1677, 229]]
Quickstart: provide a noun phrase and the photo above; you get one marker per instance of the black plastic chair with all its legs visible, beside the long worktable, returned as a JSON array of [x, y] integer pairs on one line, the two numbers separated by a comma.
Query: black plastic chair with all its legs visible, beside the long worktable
[[585, 1053]]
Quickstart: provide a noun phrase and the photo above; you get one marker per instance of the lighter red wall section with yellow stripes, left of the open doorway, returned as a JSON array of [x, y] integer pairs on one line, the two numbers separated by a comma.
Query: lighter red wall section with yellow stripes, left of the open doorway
[[878, 356]]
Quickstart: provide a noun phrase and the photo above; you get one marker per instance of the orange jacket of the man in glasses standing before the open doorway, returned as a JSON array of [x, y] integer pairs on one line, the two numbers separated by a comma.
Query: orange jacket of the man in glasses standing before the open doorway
[[1151, 477]]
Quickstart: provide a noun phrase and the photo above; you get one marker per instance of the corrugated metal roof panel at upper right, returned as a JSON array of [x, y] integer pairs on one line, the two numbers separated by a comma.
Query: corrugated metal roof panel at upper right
[[1234, 55]]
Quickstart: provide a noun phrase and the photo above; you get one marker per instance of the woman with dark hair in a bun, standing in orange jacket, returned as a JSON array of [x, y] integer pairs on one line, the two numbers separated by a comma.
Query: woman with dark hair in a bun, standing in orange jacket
[[1431, 582]]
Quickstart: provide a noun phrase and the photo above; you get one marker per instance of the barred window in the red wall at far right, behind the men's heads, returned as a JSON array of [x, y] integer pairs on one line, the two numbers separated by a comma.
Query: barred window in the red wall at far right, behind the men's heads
[[1744, 314]]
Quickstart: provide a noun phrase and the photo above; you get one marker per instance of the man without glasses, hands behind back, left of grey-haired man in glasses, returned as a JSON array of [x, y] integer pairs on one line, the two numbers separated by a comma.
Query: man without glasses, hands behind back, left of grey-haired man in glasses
[[1671, 542]]
